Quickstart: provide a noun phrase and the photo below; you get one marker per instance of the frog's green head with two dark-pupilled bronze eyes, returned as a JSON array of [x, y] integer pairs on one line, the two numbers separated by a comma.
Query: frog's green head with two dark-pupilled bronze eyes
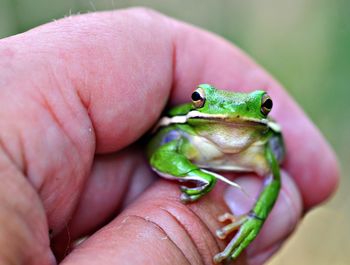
[[210, 103]]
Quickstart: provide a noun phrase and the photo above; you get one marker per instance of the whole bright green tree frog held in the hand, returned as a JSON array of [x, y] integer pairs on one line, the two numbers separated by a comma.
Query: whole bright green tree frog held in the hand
[[225, 131]]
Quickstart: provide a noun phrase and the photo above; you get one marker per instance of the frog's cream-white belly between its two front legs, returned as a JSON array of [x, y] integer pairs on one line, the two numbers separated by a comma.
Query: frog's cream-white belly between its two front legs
[[211, 156]]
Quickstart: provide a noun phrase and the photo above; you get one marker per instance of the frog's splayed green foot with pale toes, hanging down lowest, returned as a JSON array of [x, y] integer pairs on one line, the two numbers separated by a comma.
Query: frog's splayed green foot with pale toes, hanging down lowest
[[247, 227]]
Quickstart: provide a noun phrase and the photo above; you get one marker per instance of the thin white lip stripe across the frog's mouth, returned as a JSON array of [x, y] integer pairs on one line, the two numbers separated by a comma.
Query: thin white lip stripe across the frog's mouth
[[165, 121]]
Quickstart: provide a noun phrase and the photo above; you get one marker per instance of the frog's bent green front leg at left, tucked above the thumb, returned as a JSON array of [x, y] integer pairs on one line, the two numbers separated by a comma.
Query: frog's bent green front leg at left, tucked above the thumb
[[169, 161]]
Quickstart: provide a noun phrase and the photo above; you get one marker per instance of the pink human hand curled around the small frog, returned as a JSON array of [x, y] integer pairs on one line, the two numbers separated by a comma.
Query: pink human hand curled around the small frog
[[77, 93]]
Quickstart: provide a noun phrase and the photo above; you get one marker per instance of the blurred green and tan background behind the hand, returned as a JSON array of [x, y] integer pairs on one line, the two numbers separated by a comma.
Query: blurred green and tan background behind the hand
[[304, 44]]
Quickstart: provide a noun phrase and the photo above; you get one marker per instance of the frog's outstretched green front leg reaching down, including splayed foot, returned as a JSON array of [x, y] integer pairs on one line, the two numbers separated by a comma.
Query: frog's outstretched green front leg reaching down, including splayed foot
[[249, 225]]
